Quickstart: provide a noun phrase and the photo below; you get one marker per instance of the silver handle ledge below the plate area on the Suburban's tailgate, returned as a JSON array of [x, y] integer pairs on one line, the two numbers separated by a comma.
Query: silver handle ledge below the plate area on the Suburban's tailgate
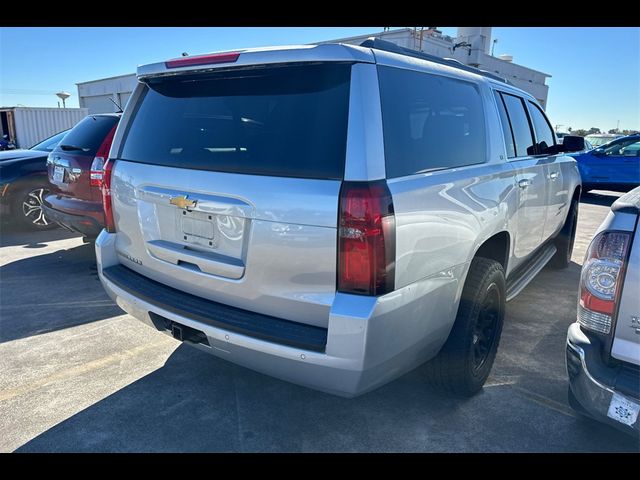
[[211, 263]]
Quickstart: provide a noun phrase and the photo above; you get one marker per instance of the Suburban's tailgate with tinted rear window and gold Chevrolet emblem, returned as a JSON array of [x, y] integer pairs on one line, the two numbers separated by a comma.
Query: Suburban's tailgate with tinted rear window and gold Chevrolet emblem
[[226, 186]]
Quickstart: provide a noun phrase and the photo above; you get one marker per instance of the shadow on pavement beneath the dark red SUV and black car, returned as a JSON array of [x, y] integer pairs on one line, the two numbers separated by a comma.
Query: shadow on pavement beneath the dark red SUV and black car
[[49, 292]]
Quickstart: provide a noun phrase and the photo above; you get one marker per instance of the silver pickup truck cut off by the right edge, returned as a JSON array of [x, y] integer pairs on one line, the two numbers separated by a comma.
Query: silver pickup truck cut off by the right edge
[[603, 346]]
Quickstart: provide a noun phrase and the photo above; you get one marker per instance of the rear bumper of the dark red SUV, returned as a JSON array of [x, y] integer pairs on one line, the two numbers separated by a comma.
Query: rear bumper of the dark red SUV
[[79, 216]]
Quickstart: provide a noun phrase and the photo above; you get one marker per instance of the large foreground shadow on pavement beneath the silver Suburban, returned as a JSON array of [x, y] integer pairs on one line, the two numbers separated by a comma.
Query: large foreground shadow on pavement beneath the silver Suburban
[[197, 402]]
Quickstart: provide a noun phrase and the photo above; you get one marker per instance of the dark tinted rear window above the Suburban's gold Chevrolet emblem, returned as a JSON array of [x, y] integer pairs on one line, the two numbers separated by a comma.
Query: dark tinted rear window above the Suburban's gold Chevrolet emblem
[[280, 121]]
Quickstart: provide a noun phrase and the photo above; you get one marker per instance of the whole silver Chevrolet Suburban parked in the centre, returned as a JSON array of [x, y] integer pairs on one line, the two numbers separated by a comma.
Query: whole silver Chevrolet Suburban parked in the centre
[[334, 215]]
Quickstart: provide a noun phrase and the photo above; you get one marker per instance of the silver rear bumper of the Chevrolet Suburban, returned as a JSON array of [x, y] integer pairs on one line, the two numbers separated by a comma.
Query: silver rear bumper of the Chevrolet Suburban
[[369, 340]]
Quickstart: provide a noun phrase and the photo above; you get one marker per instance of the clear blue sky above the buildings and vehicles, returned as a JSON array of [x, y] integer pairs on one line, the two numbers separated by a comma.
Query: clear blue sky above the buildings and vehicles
[[595, 71]]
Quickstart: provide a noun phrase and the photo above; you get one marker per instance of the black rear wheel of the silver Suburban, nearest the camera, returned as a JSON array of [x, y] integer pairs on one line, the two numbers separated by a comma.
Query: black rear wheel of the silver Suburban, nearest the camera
[[464, 362]]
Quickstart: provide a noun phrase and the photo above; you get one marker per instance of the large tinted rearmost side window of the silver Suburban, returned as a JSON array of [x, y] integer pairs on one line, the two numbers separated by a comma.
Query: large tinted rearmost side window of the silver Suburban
[[429, 122]]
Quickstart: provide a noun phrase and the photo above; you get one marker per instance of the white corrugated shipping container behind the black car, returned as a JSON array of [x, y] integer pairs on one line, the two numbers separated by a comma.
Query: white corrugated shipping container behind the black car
[[27, 126]]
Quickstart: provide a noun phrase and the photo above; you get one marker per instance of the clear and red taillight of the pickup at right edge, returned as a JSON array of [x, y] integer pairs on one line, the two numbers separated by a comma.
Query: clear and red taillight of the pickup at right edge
[[601, 280]]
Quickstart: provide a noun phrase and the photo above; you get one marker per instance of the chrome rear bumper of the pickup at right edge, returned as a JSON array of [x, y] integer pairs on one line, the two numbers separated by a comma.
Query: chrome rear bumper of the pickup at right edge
[[594, 383]]
